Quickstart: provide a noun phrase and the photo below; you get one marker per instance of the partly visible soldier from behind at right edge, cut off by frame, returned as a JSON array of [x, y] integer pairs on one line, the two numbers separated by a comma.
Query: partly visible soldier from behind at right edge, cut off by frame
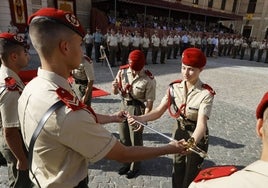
[[255, 174]]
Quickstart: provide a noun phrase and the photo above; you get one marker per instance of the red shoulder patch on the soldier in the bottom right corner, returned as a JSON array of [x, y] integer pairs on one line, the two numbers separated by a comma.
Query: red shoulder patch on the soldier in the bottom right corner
[[215, 172]]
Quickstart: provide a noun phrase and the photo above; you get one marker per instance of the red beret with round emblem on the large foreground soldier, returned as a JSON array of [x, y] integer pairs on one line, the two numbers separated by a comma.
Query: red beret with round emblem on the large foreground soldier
[[60, 16]]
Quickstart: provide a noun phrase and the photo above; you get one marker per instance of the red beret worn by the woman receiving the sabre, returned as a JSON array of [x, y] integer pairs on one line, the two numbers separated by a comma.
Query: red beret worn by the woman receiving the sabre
[[193, 57]]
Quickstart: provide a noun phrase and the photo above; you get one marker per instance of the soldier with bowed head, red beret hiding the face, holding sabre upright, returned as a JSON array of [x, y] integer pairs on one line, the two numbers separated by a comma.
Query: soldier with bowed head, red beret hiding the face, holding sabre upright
[[137, 88]]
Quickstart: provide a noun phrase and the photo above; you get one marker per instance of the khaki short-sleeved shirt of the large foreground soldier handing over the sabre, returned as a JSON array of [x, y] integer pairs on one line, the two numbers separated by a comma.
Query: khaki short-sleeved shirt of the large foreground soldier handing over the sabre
[[69, 139]]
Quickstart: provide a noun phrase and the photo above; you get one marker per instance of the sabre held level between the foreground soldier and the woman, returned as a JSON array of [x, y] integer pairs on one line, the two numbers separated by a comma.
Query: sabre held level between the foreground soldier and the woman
[[189, 145]]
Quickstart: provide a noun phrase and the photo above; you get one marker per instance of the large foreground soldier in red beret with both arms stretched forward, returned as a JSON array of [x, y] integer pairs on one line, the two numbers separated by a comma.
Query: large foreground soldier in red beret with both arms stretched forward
[[72, 137]]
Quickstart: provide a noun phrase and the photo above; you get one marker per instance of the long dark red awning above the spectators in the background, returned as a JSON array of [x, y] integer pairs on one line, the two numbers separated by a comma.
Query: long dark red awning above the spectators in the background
[[177, 6]]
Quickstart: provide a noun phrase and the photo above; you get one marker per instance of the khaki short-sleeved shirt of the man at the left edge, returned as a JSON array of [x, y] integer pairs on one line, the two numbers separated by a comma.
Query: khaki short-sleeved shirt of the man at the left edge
[[9, 99]]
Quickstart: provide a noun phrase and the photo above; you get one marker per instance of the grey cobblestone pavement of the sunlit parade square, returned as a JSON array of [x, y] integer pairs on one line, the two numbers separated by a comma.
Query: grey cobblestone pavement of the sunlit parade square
[[239, 85]]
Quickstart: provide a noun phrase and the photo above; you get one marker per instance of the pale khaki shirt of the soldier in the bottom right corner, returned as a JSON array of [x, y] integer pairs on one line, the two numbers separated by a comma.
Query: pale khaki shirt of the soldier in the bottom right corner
[[254, 175]]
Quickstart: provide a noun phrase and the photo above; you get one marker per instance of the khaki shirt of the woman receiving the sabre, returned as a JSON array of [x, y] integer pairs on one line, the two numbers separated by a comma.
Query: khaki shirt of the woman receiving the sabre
[[198, 100]]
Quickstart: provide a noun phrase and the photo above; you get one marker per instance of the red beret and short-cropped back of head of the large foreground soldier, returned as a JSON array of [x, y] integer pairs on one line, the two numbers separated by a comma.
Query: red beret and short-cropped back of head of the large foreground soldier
[[49, 26]]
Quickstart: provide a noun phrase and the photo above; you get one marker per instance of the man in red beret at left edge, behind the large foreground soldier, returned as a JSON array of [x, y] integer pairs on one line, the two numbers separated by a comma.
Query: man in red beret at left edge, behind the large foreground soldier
[[14, 56]]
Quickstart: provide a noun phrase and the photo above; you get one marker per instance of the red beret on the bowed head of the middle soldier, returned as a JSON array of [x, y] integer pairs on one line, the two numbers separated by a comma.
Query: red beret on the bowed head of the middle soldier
[[136, 60]]
